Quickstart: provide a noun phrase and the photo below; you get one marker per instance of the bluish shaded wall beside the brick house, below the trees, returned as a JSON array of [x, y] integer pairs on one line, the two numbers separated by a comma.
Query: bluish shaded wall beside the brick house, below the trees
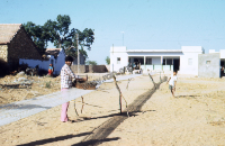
[[57, 63]]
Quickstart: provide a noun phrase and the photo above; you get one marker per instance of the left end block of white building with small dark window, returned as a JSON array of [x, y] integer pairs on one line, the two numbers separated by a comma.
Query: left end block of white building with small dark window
[[116, 52]]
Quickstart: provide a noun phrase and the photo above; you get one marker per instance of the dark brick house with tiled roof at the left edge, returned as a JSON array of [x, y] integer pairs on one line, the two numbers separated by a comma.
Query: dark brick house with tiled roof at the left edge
[[15, 44]]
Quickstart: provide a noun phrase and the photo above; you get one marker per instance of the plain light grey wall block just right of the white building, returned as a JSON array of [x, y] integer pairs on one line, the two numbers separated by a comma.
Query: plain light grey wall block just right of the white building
[[209, 70]]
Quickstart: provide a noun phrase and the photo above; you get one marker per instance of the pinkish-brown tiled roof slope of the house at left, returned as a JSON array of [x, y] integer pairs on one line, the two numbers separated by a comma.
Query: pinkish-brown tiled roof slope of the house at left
[[7, 32]]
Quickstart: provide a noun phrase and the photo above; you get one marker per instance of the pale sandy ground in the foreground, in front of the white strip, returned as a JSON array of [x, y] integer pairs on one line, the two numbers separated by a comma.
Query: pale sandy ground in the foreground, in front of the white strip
[[195, 117]]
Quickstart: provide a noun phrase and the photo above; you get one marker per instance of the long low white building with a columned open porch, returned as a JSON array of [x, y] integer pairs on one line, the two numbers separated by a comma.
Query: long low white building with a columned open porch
[[184, 60]]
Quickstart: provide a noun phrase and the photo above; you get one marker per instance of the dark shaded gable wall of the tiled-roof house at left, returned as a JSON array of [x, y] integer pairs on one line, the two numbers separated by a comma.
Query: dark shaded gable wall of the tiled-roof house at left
[[21, 46]]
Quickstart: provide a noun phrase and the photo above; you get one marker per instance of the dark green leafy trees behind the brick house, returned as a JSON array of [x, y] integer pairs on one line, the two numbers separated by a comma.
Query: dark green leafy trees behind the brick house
[[58, 32]]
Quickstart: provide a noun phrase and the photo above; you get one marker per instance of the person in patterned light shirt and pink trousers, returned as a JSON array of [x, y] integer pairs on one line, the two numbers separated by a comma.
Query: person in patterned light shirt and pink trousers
[[67, 78]]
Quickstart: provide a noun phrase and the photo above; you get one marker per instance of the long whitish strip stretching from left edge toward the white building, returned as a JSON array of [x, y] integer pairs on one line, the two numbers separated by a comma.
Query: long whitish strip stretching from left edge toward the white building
[[18, 110]]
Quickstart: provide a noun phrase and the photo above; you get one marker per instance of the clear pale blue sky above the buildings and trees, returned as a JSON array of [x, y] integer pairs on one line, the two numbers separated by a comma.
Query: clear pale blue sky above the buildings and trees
[[136, 24]]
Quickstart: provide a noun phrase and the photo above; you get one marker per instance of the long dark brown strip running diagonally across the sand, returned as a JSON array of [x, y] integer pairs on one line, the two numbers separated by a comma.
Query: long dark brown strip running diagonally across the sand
[[101, 133]]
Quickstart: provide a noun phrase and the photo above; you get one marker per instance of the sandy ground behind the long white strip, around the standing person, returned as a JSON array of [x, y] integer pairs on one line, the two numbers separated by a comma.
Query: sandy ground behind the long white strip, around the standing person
[[38, 87]]
